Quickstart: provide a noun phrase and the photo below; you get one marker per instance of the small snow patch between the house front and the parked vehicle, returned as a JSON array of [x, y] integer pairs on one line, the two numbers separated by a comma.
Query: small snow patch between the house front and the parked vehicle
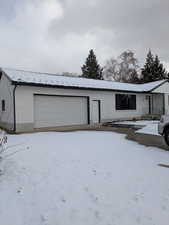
[[151, 126]]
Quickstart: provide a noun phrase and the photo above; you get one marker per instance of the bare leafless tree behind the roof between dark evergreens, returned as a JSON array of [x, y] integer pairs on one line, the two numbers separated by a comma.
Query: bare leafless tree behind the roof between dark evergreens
[[123, 69]]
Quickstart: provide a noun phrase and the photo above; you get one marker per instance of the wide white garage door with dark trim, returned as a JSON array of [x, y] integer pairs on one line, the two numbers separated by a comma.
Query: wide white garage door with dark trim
[[51, 111]]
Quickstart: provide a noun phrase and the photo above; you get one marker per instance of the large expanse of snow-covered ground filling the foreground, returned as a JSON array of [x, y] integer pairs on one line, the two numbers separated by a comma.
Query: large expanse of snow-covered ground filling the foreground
[[82, 178]]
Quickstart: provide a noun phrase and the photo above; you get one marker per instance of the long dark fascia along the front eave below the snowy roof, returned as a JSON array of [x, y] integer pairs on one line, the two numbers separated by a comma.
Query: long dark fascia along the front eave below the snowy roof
[[73, 87]]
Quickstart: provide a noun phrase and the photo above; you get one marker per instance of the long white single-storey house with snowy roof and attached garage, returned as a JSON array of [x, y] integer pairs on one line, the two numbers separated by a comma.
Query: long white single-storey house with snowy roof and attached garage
[[30, 100]]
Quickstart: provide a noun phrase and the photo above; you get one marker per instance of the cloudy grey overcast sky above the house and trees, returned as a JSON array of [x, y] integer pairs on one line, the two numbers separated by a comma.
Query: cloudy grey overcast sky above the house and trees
[[56, 35]]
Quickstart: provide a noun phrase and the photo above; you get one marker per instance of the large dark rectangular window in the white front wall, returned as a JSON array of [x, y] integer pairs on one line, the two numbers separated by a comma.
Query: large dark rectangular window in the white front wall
[[125, 102]]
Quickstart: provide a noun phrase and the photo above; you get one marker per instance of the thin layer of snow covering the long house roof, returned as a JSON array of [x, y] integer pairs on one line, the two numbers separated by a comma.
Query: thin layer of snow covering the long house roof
[[21, 76]]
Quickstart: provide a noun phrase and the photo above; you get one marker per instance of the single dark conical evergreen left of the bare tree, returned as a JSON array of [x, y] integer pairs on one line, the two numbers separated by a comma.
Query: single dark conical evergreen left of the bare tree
[[91, 68]]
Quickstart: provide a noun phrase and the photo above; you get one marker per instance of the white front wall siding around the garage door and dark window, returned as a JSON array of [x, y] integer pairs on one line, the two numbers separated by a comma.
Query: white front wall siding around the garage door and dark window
[[25, 103]]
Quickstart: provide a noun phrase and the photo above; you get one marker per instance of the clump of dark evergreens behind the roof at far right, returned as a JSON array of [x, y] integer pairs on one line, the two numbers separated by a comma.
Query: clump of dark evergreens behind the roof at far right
[[153, 70]]
